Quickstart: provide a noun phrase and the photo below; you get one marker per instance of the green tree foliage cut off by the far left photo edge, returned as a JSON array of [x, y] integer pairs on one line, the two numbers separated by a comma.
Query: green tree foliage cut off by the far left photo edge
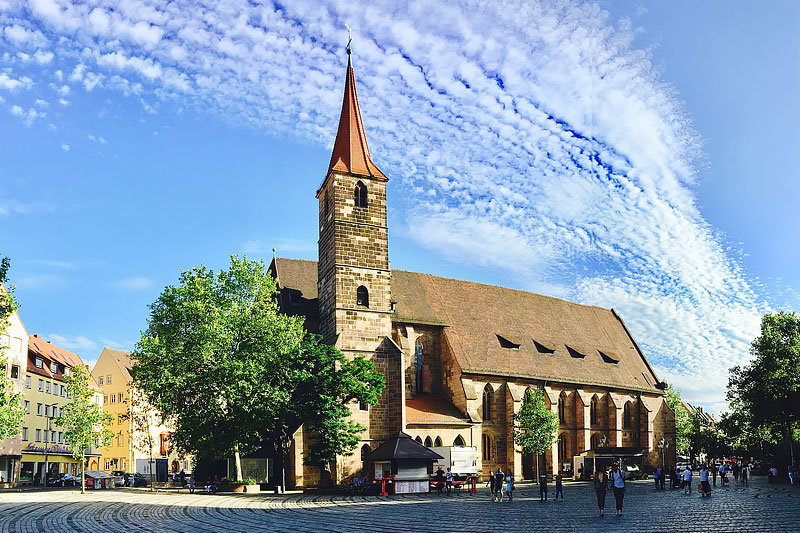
[[11, 409]]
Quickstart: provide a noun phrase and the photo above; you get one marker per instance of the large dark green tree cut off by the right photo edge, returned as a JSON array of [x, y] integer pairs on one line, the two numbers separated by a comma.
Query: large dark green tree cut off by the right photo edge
[[767, 391]]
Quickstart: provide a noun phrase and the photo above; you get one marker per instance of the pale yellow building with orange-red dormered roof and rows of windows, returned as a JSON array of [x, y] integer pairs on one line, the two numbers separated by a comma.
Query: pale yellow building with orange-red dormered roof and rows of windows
[[44, 447]]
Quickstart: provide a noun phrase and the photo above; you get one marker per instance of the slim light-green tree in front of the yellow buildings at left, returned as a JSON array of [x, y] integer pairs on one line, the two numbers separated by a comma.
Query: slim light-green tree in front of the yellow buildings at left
[[85, 423]]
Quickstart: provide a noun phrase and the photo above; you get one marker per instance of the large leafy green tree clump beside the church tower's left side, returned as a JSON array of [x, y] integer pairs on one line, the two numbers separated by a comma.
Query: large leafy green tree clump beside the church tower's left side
[[232, 374]]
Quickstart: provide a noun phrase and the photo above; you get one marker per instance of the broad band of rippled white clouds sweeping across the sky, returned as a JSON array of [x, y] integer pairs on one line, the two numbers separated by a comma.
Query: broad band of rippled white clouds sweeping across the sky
[[540, 143]]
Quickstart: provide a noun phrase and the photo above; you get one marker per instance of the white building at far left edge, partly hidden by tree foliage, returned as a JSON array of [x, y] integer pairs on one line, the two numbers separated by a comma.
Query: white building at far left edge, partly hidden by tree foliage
[[14, 353]]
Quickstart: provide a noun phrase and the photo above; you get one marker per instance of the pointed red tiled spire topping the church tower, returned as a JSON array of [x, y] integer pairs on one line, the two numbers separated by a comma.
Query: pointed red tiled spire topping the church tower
[[350, 151]]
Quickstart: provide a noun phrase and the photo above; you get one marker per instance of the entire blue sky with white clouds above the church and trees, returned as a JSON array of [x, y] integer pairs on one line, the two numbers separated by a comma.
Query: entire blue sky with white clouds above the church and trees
[[633, 155]]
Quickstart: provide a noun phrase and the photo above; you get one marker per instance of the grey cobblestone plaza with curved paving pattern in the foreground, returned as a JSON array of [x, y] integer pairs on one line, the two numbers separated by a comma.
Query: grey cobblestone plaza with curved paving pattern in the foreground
[[760, 507]]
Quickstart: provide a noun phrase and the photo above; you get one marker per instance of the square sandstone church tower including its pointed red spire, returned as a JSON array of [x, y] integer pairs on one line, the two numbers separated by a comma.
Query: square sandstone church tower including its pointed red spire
[[353, 277]]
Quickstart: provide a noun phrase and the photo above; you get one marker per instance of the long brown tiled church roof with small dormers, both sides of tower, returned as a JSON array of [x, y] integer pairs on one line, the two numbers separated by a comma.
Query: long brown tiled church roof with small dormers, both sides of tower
[[506, 332]]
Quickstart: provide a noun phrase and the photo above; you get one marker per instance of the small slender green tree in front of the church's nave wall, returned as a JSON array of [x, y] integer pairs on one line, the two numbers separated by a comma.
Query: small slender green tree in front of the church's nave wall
[[535, 425]]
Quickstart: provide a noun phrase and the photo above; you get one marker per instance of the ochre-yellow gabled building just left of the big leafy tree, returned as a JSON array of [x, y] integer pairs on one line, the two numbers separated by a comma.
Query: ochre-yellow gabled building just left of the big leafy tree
[[131, 450]]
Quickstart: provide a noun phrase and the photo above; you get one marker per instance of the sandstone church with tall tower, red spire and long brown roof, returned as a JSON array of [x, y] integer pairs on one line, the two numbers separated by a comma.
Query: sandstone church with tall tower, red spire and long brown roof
[[458, 356]]
